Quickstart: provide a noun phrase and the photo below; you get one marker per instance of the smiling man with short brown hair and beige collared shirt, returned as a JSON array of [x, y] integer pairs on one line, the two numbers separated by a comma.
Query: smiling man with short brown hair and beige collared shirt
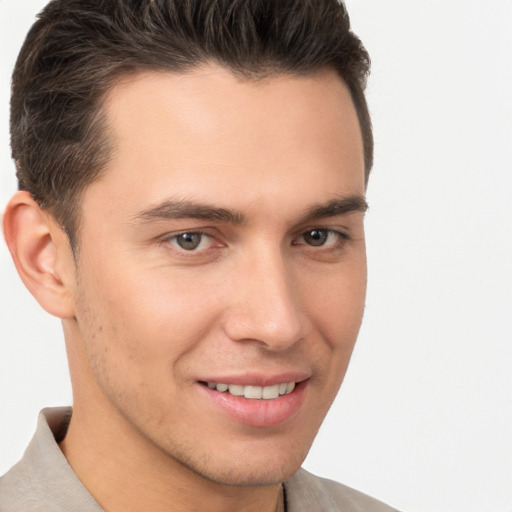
[[192, 192]]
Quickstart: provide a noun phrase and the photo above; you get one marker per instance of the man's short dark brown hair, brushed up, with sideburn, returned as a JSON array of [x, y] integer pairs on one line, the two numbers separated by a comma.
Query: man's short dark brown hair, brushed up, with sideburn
[[77, 50]]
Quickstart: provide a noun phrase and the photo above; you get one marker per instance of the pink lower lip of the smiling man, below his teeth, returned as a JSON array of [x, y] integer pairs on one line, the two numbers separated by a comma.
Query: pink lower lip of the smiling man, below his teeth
[[258, 413]]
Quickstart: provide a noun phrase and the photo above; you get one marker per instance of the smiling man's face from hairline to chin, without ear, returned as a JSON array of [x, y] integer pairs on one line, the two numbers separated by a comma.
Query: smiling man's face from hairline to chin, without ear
[[223, 246]]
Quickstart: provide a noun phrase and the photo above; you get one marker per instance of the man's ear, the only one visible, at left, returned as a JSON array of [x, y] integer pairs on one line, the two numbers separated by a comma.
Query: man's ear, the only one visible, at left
[[41, 252]]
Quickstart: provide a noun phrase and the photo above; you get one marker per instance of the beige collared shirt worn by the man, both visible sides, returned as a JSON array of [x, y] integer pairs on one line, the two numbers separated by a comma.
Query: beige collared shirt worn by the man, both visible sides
[[43, 481]]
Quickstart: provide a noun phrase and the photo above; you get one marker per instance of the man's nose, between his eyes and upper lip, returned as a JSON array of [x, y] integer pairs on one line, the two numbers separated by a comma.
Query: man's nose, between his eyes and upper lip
[[265, 304]]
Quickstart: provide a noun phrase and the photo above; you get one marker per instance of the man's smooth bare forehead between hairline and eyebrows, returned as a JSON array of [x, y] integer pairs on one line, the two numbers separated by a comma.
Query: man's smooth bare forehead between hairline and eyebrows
[[209, 134]]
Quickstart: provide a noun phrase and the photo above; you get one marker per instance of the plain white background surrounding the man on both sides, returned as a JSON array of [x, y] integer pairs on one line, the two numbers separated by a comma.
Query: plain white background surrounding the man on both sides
[[424, 418]]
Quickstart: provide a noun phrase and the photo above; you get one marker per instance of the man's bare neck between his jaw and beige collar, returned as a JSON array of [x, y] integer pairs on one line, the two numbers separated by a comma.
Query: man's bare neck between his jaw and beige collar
[[125, 473]]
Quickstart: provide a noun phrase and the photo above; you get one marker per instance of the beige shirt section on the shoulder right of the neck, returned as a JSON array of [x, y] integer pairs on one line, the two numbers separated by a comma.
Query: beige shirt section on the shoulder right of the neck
[[305, 492]]
